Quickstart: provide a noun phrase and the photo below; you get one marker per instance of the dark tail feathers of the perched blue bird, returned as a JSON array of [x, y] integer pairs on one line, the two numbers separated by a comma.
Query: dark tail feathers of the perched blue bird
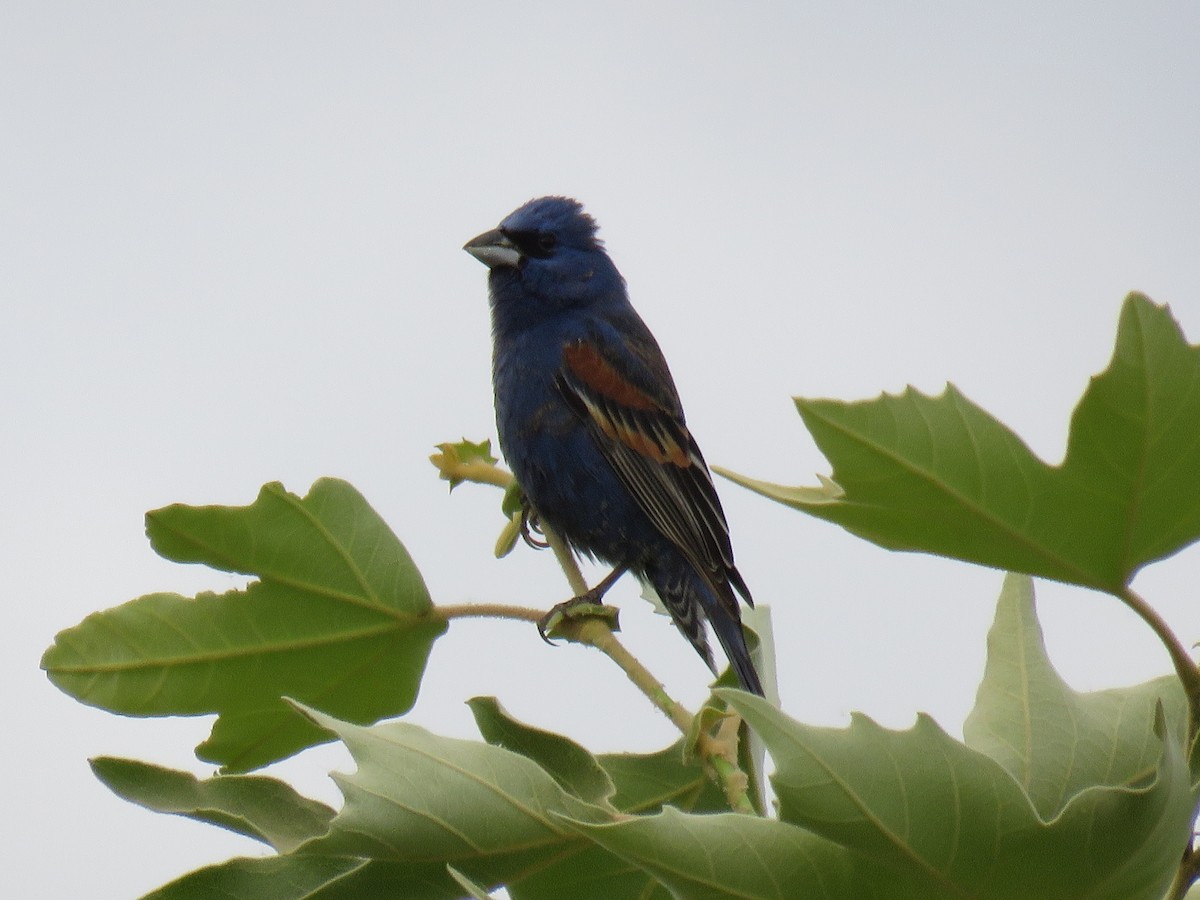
[[691, 601]]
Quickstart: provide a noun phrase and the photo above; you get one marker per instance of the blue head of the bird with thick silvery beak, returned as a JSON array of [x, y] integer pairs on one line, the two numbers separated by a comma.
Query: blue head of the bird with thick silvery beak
[[545, 256]]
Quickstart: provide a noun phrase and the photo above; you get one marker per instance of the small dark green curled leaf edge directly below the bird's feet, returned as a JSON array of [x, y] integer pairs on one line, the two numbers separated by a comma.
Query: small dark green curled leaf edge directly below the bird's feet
[[575, 770]]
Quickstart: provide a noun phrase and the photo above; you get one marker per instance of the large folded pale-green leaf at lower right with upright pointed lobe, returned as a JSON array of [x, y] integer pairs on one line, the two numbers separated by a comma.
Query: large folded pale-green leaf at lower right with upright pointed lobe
[[951, 821]]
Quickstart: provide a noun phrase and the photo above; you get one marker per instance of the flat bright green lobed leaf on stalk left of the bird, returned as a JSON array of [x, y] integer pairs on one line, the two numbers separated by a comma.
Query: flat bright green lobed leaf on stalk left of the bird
[[340, 620]]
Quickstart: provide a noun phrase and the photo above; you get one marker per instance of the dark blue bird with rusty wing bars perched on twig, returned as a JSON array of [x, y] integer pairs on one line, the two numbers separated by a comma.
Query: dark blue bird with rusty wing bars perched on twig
[[591, 423]]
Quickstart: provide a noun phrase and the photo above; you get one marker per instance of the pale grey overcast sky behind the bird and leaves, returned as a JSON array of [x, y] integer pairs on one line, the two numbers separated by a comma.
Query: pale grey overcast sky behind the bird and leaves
[[231, 255]]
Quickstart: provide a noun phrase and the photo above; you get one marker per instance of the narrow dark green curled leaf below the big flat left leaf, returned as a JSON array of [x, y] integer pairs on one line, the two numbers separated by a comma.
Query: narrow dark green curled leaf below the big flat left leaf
[[262, 808]]
